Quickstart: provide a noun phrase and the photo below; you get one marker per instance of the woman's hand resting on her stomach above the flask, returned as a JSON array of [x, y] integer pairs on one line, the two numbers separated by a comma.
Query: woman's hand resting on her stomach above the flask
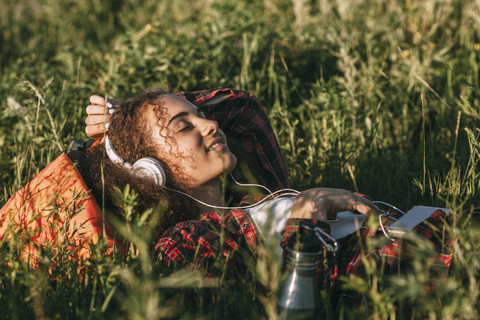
[[324, 204]]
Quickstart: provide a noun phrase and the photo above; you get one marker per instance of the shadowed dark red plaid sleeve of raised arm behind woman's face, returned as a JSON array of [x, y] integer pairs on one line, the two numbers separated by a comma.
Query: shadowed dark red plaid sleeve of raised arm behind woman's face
[[250, 135]]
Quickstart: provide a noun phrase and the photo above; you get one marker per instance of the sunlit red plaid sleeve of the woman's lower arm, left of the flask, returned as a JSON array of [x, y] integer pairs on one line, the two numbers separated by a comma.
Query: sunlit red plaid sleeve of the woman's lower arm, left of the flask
[[213, 245]]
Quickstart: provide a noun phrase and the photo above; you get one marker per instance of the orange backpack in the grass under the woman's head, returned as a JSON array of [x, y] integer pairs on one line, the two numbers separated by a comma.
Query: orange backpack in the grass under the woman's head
[[55, 209]]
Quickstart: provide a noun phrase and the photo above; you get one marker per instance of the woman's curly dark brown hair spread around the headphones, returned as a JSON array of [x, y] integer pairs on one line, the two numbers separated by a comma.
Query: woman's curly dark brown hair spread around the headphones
[[132, 139]]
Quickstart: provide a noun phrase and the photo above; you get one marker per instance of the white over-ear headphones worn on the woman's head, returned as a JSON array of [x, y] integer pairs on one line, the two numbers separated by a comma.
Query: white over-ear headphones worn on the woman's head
[[146, 167]]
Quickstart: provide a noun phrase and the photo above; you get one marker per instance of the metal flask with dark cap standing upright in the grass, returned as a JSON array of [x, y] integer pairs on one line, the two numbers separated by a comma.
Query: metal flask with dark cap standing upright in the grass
[[299, 296]]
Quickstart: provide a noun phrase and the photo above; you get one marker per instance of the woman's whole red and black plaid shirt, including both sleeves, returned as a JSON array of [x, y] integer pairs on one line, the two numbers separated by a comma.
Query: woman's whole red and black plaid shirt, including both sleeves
[[216, 243]]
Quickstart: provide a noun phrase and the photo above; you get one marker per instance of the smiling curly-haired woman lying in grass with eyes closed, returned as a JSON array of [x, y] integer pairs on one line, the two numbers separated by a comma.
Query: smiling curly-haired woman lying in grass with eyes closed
[[181, 132]]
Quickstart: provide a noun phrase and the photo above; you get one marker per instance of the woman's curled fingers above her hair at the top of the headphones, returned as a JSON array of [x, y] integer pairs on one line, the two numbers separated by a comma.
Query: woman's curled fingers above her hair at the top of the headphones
[[97, 117]]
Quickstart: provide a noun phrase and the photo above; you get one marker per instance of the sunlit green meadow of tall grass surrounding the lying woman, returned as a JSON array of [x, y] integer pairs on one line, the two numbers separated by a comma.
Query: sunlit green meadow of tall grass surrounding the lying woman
[[380, 97]]
